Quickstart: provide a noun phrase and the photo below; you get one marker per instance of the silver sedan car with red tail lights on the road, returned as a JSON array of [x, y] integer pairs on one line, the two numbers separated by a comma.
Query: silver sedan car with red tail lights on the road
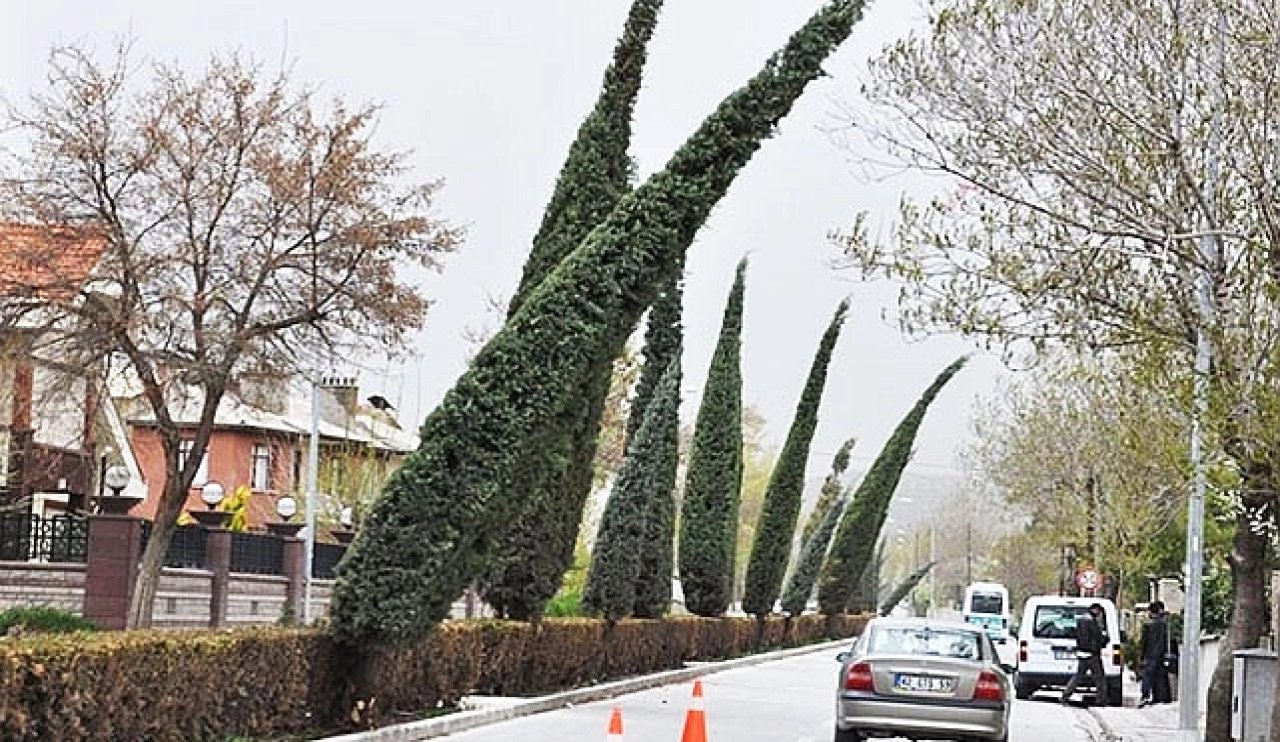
[[924, 680]]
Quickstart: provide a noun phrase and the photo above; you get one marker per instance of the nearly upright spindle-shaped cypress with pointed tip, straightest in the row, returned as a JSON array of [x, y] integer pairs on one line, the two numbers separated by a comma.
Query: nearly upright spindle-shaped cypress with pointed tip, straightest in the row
[[714, 484]]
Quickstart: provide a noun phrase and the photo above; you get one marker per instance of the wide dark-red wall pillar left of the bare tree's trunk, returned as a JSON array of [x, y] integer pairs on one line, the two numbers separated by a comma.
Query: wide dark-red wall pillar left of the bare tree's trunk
[[112, 569]]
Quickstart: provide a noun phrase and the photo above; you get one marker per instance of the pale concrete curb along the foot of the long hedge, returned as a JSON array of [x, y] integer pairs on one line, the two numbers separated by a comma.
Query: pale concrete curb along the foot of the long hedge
[[464, 721]]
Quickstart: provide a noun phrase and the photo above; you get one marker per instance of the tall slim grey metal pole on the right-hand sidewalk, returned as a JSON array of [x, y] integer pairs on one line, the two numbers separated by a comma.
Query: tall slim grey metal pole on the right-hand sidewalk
[[1210, 250]]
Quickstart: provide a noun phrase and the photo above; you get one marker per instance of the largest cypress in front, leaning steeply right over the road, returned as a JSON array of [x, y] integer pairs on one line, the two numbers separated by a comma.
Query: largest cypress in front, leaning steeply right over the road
[[432, 529]]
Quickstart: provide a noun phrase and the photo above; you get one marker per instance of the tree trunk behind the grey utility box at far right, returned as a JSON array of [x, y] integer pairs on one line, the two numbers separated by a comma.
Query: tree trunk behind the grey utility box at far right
[[1249, 583]]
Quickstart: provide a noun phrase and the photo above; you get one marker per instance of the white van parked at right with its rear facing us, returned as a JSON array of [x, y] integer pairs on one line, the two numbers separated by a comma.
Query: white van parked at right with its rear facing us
[[1046, 645]]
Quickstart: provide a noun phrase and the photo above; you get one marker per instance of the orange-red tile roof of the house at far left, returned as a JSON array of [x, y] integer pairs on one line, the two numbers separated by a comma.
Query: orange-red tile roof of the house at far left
[[47, 262]]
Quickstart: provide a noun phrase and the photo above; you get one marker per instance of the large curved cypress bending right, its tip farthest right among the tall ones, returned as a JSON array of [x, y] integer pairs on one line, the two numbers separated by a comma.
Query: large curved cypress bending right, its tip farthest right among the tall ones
[[856, 538]]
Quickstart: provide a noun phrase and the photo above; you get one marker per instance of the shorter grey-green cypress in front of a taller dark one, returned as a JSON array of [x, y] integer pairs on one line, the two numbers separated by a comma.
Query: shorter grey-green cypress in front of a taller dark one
[[647, 478]]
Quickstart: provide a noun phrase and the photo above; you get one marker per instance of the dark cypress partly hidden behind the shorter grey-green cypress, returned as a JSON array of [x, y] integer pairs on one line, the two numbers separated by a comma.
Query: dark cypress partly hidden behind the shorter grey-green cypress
[[664, 341]]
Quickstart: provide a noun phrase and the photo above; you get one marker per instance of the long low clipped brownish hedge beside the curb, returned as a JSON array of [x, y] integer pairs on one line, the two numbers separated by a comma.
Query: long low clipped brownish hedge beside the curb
[[177, 686]]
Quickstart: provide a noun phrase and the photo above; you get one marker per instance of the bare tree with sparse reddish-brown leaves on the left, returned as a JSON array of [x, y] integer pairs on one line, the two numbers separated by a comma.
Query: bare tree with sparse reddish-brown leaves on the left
[[252, 228]]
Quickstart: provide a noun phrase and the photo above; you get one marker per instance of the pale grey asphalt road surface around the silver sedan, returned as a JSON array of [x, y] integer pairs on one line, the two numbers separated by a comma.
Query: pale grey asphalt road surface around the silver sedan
[[788, 700]]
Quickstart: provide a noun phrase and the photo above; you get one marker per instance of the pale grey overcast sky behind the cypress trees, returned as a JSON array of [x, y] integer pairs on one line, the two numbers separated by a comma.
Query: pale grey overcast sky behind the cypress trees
[[490, 95]]
